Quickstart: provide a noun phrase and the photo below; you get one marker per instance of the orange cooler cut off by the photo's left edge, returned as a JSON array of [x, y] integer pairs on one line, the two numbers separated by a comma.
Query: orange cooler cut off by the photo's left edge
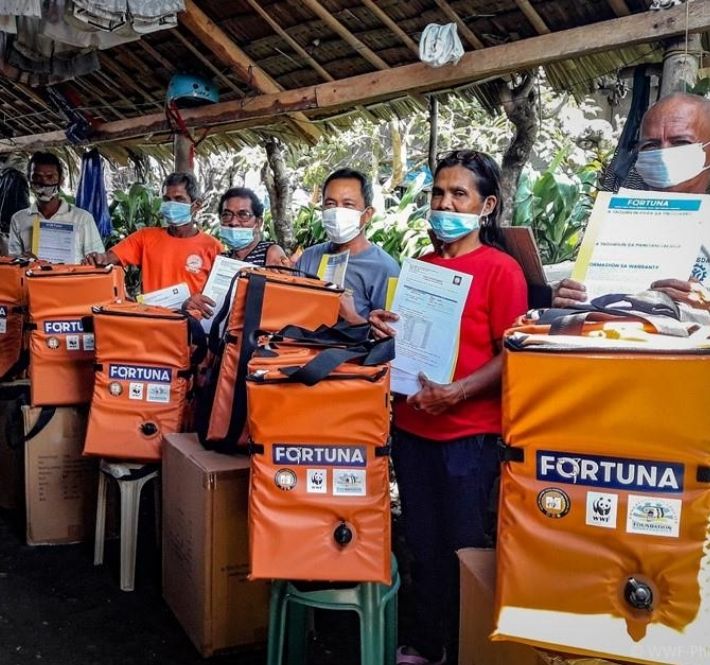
[[13, 311]]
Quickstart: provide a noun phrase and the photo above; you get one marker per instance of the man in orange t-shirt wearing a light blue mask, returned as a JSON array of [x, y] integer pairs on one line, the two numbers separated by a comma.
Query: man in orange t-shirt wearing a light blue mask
[[177, 253]]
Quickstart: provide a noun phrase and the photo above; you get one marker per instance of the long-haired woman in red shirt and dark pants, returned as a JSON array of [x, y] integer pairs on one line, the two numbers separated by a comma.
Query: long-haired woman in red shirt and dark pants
[[445, 435]]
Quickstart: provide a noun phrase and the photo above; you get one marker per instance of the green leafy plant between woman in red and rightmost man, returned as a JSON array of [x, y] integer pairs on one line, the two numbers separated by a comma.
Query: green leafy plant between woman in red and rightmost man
[[557, 207]]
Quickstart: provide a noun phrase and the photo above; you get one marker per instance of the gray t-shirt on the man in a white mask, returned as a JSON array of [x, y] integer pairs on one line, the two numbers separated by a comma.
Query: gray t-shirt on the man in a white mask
[[367, 274]]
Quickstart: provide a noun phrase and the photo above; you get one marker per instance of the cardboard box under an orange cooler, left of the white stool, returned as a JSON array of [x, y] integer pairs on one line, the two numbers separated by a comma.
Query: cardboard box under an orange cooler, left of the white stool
[[60, 484]]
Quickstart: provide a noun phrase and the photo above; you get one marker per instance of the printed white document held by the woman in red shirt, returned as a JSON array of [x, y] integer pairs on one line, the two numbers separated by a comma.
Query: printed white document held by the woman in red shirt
[[429, 300]]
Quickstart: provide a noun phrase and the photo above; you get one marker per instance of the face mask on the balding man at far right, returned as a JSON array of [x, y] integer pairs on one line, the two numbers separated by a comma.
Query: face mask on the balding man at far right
[[668, 167]]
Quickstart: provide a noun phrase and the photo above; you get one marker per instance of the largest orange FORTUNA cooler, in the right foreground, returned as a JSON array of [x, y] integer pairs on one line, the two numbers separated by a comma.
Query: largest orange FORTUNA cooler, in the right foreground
[[603, 542]]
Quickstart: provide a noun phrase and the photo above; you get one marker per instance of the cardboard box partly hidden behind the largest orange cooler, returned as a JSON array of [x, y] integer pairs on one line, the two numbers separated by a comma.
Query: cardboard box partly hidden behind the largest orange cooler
[[478, 581]]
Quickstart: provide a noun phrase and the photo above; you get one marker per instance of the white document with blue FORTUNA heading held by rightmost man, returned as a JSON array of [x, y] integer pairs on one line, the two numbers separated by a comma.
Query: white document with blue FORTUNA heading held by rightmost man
[[635, 238]]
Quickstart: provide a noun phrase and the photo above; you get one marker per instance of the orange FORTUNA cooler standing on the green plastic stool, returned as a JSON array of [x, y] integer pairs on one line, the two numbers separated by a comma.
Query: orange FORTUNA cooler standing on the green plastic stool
[[319, 504]]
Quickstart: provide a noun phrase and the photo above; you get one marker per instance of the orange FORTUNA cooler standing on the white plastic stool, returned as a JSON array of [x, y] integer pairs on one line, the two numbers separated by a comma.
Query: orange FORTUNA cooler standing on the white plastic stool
[[143, 376]]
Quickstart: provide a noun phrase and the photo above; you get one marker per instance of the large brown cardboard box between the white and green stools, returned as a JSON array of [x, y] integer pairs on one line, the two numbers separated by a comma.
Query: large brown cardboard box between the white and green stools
[[205, 547]]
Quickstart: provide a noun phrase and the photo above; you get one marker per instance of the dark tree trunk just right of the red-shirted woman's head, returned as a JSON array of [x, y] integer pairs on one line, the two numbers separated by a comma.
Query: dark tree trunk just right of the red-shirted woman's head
[[521, 106]]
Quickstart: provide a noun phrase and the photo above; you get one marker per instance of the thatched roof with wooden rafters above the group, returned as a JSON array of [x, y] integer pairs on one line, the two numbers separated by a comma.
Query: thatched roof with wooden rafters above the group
[[298, 45]]
